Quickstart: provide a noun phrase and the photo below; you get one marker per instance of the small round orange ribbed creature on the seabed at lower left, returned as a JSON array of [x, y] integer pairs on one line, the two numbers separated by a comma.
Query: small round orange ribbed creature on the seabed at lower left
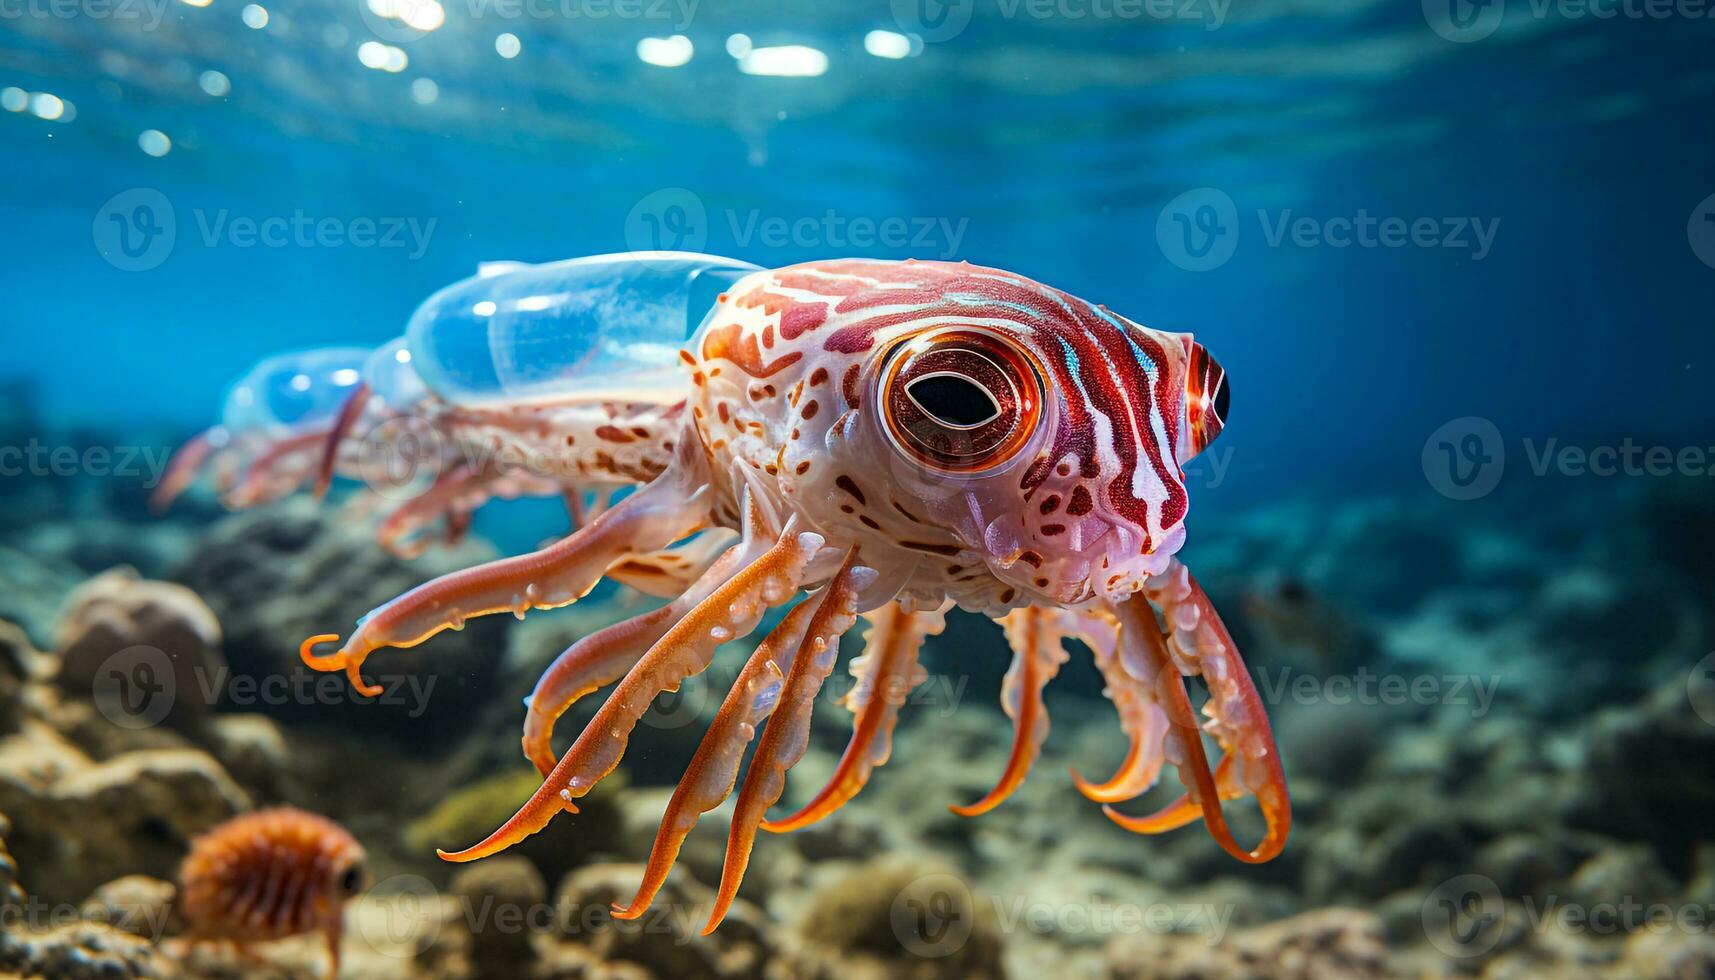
[[268, 876]]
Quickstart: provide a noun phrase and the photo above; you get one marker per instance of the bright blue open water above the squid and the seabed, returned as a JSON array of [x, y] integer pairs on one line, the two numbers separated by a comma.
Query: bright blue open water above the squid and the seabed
[[1560, 160]]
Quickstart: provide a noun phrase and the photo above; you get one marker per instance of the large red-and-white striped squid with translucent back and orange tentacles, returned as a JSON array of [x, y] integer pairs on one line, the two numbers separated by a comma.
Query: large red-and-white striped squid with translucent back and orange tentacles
[[839, 442]]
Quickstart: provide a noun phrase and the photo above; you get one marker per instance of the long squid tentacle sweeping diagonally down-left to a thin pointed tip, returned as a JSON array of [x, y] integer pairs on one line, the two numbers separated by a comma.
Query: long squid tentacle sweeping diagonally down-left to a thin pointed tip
[[687, 650]]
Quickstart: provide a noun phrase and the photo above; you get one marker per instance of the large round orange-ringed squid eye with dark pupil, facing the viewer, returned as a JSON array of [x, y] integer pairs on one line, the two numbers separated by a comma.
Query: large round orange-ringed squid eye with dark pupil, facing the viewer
[[960, 401]]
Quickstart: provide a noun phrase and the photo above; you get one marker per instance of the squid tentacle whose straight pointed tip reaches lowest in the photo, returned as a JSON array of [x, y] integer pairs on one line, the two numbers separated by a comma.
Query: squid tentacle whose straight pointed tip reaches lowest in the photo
[[786, 739]]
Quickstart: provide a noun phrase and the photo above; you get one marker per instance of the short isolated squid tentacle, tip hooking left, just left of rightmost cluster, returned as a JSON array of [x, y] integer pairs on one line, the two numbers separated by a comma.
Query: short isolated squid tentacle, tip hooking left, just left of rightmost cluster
[[1037, 638]]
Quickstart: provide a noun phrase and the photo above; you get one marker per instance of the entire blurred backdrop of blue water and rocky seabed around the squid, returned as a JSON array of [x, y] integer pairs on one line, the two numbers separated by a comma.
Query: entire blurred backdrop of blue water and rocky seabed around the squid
[[1459, 262]]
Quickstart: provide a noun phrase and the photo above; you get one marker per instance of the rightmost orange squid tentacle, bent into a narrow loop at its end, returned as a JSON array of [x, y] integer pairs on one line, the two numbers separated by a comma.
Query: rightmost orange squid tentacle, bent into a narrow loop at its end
[[1200, 644]]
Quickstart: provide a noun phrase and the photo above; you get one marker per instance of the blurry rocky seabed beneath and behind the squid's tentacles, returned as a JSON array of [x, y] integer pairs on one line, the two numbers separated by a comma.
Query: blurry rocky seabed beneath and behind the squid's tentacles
[[1501, 756]]
